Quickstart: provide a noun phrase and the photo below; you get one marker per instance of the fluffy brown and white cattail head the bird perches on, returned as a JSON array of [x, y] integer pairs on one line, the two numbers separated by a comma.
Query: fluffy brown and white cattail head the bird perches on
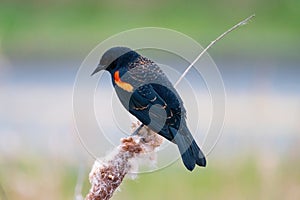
[[106, 176]]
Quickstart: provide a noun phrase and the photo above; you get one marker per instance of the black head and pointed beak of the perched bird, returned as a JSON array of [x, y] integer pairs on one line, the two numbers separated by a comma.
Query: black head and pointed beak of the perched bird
[[109, 59]]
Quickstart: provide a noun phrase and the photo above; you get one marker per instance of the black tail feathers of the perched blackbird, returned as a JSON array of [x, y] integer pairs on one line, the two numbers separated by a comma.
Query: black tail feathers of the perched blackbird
[[190, 152]]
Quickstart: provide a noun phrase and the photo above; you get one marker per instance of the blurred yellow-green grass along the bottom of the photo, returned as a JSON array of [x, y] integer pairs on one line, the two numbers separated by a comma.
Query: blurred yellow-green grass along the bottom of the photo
[[244, 178]]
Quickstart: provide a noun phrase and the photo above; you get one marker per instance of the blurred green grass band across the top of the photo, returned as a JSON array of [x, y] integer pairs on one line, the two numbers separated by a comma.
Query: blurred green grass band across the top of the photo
[[71, 27]]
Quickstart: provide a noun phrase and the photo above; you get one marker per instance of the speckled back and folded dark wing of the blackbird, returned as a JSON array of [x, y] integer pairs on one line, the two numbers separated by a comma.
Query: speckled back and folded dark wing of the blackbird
[[154, 99]]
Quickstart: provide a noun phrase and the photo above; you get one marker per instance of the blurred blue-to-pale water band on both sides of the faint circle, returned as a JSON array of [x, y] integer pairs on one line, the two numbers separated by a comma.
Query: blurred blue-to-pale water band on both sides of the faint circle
[[263, 99]]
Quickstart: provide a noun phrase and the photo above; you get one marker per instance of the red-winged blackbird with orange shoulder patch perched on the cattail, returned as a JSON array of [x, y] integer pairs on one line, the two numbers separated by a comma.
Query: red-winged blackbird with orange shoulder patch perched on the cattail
[[146, 92]]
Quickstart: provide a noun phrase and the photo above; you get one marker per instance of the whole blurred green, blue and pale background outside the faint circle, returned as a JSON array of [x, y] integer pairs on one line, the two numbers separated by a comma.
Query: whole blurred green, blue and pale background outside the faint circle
[[42, 44]]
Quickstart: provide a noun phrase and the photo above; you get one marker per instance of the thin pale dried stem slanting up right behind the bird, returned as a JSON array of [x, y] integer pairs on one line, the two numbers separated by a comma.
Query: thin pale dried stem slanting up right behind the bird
[[244, 22]]
